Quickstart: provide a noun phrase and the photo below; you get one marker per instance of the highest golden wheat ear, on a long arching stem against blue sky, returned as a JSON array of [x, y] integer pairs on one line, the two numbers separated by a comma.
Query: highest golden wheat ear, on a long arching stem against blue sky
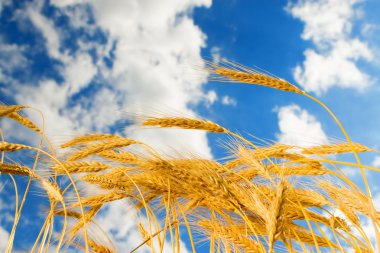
[[227, 71]]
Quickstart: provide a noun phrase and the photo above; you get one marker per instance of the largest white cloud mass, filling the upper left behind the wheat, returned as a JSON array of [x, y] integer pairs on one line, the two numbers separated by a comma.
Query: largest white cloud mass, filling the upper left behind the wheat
[[152, 45]]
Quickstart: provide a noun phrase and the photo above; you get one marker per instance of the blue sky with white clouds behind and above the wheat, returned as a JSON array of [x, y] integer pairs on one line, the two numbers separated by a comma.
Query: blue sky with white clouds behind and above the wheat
[[89, 65]]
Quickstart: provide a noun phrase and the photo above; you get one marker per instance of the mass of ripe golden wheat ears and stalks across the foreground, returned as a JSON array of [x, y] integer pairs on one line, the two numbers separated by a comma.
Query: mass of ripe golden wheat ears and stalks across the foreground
[[262, 198]]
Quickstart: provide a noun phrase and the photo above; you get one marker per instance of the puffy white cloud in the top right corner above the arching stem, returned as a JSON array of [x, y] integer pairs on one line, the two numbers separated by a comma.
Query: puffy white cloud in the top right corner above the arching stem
[[334, 58]]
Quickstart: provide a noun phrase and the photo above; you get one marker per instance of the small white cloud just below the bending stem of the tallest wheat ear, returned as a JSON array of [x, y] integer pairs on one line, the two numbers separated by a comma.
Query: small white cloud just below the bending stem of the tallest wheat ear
[[299, 127]]
